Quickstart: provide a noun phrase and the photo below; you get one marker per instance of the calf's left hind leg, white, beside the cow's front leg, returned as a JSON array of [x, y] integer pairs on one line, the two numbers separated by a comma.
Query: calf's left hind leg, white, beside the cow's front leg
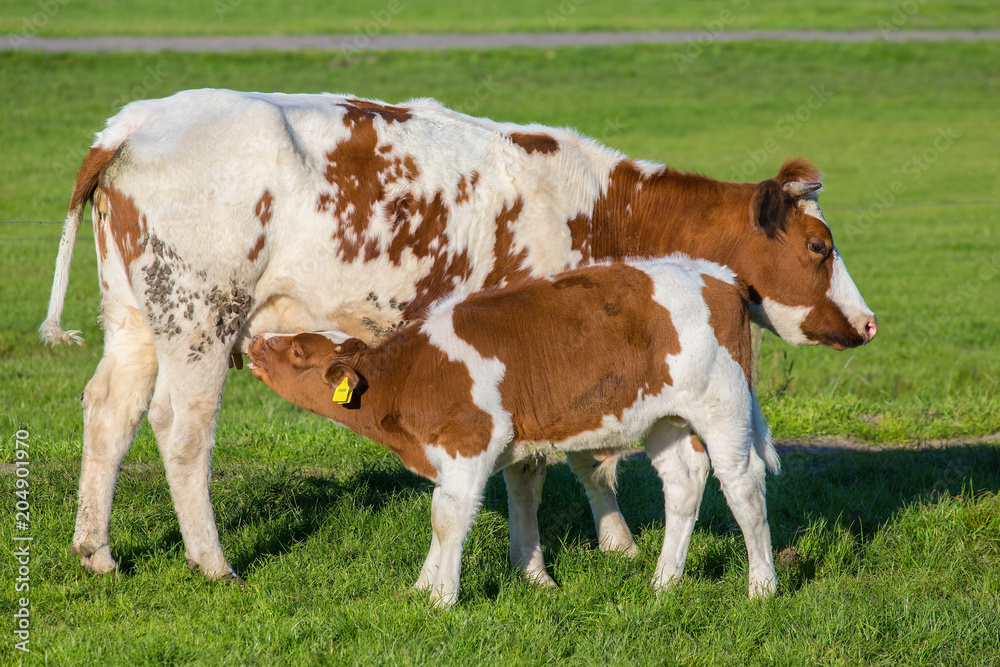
[[682, 464]]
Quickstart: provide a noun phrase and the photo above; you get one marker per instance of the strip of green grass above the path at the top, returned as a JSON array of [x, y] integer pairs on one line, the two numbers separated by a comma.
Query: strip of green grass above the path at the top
[[60, 18]]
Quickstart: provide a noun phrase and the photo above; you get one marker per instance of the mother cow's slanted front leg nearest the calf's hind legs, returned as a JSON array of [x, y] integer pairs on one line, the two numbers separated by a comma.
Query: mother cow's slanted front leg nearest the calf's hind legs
[[596, 472]]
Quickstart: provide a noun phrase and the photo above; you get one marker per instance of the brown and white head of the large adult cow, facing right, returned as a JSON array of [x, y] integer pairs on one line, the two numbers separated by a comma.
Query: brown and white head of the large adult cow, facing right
[[799, 285]]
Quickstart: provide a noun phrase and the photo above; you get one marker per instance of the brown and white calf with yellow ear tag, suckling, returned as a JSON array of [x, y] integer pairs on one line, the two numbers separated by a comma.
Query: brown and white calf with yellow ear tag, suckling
[[592, 358]]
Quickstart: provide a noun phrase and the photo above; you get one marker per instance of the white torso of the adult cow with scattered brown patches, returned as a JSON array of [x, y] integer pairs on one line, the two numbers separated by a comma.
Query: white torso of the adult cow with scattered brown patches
[[333, 212]]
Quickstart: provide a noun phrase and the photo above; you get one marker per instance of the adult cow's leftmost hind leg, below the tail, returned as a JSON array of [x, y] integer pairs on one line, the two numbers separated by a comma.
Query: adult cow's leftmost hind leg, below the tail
[[113, 404]]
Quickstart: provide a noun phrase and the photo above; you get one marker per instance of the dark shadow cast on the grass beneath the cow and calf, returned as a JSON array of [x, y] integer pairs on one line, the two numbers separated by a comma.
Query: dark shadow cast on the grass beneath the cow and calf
[[860, 491]]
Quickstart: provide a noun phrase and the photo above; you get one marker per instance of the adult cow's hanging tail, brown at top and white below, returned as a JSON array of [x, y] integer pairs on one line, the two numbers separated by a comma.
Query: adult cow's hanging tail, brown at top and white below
[[51, 331]]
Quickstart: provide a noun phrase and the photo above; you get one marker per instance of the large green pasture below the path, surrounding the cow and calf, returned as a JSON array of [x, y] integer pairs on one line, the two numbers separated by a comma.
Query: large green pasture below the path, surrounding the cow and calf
[[885, 557]]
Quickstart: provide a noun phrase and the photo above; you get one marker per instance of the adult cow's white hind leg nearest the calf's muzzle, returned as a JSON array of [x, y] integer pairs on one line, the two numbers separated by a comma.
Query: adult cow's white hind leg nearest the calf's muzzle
[[183, 415]]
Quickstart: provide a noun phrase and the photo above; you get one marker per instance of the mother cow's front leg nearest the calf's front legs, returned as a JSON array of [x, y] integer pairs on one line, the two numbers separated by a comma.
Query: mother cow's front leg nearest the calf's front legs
[[524, 481]]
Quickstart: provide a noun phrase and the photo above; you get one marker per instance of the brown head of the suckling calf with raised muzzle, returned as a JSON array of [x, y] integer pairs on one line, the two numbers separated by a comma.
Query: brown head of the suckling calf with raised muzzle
[[306, 368]]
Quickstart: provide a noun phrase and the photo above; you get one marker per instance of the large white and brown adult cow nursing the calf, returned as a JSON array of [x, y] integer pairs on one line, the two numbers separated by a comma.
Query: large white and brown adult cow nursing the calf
[[219, 215]]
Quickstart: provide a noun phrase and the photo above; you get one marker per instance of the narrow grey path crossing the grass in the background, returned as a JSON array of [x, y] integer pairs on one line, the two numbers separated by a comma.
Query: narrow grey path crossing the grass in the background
[[360, 41]]
